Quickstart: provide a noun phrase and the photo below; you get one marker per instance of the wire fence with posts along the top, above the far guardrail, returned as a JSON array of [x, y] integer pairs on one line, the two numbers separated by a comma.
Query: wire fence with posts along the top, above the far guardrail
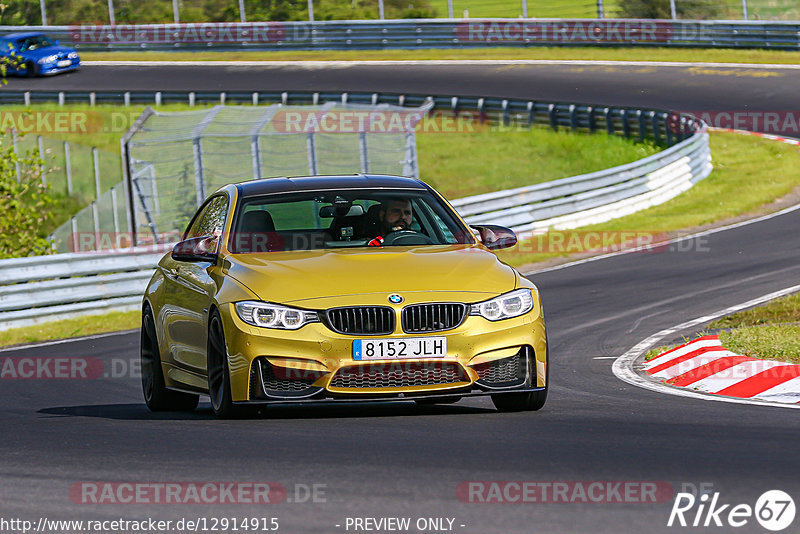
[[60, 12]]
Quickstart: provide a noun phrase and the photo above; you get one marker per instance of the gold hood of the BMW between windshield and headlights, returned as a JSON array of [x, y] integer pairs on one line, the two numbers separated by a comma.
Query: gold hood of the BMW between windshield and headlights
[[318, 277]]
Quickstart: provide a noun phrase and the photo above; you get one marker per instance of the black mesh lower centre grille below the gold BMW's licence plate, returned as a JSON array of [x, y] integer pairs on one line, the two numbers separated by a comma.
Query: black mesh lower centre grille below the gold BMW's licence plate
[[397, 375]]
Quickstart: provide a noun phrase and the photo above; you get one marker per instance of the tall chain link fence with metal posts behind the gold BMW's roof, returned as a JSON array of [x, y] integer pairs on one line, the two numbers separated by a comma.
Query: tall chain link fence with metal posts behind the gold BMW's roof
[[175, 160]]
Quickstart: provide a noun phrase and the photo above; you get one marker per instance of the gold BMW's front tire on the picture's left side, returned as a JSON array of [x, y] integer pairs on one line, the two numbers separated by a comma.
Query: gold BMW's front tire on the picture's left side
[[219, 377]]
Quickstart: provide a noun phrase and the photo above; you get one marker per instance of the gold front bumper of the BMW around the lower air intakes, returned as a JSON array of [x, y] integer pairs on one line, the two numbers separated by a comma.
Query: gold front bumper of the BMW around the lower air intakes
[[315, 364]]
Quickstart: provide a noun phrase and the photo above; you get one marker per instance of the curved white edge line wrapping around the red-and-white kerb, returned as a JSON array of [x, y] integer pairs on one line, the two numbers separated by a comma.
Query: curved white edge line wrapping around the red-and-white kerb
[[623, 366]]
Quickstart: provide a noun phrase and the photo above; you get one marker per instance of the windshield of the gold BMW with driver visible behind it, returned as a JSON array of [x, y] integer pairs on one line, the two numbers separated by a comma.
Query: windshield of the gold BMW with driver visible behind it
[[344, 219]]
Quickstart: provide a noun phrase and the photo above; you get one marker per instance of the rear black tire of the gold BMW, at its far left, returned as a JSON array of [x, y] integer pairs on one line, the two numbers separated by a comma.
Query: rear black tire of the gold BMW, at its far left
[[156, 395]]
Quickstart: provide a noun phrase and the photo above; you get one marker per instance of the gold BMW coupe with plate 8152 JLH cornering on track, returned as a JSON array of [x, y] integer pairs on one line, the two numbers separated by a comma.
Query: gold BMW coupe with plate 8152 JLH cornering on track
[[339, 288]]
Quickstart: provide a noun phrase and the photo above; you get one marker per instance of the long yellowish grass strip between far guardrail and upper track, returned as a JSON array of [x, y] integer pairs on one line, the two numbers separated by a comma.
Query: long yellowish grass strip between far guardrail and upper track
[[688, 55]]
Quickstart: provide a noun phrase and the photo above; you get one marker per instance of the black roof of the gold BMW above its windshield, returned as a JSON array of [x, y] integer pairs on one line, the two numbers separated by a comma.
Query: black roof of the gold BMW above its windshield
[[316, 183]]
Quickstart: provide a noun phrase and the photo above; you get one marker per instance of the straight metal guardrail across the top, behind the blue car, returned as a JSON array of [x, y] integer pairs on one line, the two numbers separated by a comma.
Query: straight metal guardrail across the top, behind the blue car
[[425, 33]]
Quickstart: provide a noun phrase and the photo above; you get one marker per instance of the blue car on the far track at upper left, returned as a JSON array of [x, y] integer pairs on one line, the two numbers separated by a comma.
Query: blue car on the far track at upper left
[[34, 54]]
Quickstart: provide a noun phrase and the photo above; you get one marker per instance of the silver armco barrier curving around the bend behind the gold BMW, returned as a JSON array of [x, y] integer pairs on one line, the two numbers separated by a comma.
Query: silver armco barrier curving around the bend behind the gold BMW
[[52, 287]]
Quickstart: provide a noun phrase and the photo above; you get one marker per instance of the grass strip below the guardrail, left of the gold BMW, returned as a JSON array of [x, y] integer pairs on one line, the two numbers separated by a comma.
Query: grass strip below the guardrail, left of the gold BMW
[[67, 328]]
